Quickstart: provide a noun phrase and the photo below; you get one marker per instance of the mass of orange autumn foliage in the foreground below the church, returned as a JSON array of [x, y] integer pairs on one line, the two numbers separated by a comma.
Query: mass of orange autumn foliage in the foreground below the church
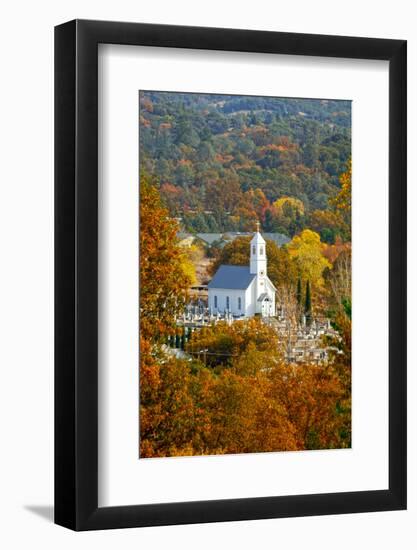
[[250, 400]]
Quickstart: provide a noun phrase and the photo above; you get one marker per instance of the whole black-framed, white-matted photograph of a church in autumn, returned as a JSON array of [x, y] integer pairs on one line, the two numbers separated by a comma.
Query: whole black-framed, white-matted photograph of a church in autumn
[[230, 337]]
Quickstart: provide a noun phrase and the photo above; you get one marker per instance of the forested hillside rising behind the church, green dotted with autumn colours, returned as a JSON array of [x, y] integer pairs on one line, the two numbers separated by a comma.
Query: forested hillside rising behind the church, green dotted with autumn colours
[[223, 162]]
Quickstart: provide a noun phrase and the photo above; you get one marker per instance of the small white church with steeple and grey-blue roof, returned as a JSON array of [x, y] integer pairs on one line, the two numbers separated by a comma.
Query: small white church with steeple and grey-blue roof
[[244, 291]]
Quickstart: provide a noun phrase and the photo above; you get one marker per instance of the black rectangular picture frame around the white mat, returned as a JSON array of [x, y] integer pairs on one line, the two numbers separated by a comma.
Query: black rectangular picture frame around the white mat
[[76, 273]]
